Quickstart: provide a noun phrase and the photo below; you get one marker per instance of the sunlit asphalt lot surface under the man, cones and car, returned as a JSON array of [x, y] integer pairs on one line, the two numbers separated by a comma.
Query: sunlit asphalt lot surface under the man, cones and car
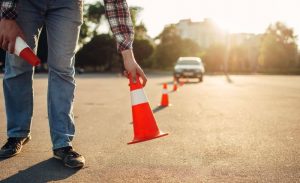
[[246, 130]]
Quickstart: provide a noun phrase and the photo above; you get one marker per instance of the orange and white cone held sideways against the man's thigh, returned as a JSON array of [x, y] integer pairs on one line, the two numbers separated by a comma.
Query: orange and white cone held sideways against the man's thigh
[[24, 51]]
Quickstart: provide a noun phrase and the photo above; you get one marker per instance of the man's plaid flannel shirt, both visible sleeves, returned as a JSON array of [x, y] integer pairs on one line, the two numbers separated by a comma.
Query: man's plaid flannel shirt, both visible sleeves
[[117, 13]]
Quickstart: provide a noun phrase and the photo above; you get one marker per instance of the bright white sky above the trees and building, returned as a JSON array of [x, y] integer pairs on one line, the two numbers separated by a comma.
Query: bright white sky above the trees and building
[[250, 16]]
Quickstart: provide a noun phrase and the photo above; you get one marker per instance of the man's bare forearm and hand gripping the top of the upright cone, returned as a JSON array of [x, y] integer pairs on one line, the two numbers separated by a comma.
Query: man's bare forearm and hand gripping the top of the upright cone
[[132, 67]]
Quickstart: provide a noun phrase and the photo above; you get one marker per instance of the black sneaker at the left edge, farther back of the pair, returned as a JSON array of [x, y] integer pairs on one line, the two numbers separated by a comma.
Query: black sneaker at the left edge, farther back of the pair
[[13, 146]]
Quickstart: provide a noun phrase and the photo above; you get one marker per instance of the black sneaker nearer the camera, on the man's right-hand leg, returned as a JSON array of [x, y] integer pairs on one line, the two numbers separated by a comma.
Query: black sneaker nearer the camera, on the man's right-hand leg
[[69, 157]]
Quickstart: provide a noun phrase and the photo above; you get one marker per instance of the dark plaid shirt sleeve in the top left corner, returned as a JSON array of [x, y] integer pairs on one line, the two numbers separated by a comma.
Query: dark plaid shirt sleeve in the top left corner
[[8, 9]]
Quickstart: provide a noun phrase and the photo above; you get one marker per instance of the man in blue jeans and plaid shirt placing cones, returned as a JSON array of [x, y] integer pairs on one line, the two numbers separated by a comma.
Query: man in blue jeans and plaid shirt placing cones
[[63, 19]]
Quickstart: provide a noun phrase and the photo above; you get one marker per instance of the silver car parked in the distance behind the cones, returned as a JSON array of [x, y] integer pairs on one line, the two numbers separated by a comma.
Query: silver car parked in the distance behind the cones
[[189, 67]]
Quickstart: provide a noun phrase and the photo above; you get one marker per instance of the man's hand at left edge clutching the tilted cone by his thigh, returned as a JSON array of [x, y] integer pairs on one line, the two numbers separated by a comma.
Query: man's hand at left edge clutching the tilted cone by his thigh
[[9, 30]]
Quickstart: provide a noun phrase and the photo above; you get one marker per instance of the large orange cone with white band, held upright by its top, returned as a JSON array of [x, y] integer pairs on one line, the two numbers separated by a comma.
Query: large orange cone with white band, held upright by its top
[[144, 123]]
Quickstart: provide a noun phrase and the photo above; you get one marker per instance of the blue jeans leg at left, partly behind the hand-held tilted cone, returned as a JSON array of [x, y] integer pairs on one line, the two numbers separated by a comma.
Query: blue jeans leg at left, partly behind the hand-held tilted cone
[[17, 83]]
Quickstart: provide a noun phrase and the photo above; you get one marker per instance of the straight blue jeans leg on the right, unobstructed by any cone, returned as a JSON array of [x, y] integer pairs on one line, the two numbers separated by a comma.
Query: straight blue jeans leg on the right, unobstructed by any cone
[[63, 22]]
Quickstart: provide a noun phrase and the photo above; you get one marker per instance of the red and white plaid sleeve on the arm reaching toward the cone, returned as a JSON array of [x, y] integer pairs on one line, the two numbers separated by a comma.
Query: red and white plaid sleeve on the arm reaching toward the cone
[[120, 22]]
